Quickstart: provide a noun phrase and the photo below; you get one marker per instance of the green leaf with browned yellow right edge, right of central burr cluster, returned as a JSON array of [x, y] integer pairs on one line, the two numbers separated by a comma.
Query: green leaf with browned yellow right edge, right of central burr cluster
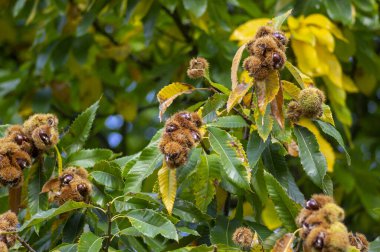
[[232, 156]]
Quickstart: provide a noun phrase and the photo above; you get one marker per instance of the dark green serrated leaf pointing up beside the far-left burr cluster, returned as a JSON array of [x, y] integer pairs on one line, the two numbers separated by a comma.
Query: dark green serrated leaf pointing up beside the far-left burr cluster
[[79, 131]]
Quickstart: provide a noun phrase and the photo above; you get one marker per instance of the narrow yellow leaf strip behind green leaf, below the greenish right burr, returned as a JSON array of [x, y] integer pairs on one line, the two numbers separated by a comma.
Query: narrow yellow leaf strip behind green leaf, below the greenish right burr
[[324, 146]]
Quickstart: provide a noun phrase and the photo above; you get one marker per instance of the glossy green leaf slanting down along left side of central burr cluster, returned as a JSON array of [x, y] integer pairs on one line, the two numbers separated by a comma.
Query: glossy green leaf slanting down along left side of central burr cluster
[[150, 159]]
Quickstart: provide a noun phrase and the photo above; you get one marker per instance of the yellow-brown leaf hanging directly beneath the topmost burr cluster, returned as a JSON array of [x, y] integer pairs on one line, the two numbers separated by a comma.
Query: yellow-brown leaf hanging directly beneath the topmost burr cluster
[[267, 90]]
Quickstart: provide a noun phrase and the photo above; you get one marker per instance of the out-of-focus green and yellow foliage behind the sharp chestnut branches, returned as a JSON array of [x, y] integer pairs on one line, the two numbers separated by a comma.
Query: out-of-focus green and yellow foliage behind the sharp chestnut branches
[[61, 56]]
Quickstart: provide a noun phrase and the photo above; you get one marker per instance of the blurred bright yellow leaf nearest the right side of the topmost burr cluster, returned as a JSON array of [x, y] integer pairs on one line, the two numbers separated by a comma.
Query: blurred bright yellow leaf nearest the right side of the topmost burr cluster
[[307, 58]]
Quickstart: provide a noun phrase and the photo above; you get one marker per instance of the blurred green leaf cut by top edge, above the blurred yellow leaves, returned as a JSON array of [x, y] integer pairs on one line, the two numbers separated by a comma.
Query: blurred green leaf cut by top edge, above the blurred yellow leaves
[[340, 10]]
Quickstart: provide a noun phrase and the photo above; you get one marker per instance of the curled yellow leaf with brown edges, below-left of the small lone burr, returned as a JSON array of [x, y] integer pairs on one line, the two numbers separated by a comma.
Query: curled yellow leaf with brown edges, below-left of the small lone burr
[[167, 94]]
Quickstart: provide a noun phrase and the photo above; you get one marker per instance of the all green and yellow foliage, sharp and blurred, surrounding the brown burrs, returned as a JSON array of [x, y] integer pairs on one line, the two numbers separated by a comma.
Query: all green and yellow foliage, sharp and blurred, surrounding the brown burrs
[[61, 56]]
